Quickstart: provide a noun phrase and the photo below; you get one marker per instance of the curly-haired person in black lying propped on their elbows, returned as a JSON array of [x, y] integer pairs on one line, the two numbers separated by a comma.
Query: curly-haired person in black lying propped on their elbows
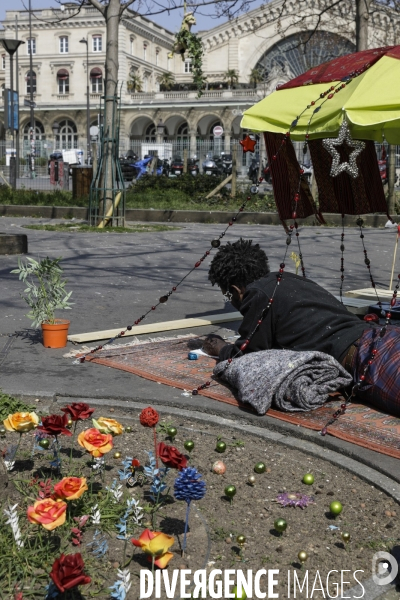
[[303, 316]]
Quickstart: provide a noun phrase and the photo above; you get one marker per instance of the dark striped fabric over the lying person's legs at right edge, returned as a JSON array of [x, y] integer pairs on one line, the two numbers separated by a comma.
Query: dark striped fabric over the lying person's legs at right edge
[[381, 387]]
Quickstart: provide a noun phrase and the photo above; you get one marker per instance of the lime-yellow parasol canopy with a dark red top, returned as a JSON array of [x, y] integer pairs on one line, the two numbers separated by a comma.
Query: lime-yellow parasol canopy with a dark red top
[[370, 101]]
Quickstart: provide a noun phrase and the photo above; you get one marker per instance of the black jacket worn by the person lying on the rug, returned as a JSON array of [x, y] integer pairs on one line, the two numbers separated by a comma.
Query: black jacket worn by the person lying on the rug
[[303, 316]]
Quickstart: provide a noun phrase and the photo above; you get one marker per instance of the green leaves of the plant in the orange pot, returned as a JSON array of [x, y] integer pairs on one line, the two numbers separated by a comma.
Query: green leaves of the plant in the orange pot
[[45, 291]]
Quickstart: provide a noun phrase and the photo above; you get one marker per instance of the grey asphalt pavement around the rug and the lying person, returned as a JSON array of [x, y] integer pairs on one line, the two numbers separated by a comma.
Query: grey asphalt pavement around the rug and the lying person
[[115, 277]]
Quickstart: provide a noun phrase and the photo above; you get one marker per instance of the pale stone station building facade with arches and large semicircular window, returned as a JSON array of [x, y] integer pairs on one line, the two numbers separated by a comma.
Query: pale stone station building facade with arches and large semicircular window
[[253, 41]]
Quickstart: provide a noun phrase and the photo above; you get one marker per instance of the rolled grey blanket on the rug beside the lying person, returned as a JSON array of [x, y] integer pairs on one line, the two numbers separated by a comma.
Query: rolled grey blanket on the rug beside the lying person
[[284, 379]]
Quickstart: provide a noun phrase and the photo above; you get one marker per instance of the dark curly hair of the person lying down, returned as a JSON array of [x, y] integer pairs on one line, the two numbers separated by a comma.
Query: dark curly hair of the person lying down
[[239, 264]]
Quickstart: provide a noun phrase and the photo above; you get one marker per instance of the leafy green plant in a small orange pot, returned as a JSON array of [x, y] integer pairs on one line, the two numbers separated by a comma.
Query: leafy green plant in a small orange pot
[[45, 293]]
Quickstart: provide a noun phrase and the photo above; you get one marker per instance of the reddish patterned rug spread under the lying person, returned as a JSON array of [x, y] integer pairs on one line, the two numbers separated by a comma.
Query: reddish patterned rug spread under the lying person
[[166, 362]]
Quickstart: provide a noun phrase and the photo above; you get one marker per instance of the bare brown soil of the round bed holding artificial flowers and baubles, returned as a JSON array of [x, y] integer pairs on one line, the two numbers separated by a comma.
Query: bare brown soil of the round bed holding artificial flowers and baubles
[[369, 515]]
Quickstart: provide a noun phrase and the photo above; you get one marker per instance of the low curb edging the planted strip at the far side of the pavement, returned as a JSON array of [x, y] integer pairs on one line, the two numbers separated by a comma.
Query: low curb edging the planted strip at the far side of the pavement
[[185, 216]]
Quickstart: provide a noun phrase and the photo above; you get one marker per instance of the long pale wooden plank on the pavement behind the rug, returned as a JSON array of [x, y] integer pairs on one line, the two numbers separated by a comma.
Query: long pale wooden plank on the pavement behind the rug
[[156, 327]]
